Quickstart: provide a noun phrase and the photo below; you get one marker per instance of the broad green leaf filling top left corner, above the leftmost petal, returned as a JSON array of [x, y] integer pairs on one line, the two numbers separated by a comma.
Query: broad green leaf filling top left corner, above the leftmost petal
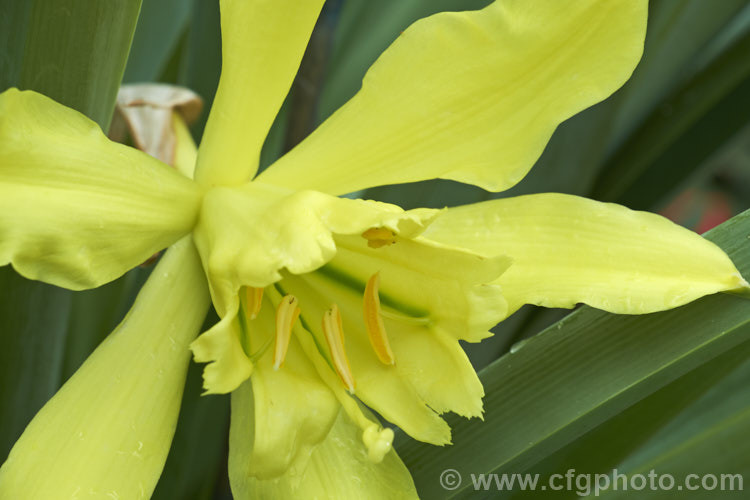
[[73, 51]]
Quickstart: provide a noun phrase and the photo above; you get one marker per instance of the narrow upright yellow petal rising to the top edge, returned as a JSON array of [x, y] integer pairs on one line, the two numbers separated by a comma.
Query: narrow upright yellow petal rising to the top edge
[[262, 45]]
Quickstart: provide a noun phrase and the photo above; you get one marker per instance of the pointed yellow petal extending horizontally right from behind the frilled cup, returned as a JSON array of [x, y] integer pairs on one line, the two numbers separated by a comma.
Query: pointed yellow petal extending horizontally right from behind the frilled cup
[[567, 249]]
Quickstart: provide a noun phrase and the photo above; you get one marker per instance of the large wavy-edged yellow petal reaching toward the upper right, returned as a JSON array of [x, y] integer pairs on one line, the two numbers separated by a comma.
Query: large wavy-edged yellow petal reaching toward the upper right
[[471, 96]]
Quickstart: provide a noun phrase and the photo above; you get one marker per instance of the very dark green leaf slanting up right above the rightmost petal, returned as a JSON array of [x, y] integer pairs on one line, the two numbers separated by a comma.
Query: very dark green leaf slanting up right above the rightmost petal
[[682, 132]]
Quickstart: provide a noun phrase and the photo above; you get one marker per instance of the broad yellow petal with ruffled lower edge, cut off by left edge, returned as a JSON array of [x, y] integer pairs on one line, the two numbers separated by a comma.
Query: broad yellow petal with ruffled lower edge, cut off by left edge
[[77, 210]]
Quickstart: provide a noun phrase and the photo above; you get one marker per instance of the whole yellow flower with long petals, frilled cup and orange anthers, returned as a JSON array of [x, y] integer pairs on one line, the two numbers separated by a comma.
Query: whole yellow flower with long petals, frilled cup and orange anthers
[[328, 305]]
